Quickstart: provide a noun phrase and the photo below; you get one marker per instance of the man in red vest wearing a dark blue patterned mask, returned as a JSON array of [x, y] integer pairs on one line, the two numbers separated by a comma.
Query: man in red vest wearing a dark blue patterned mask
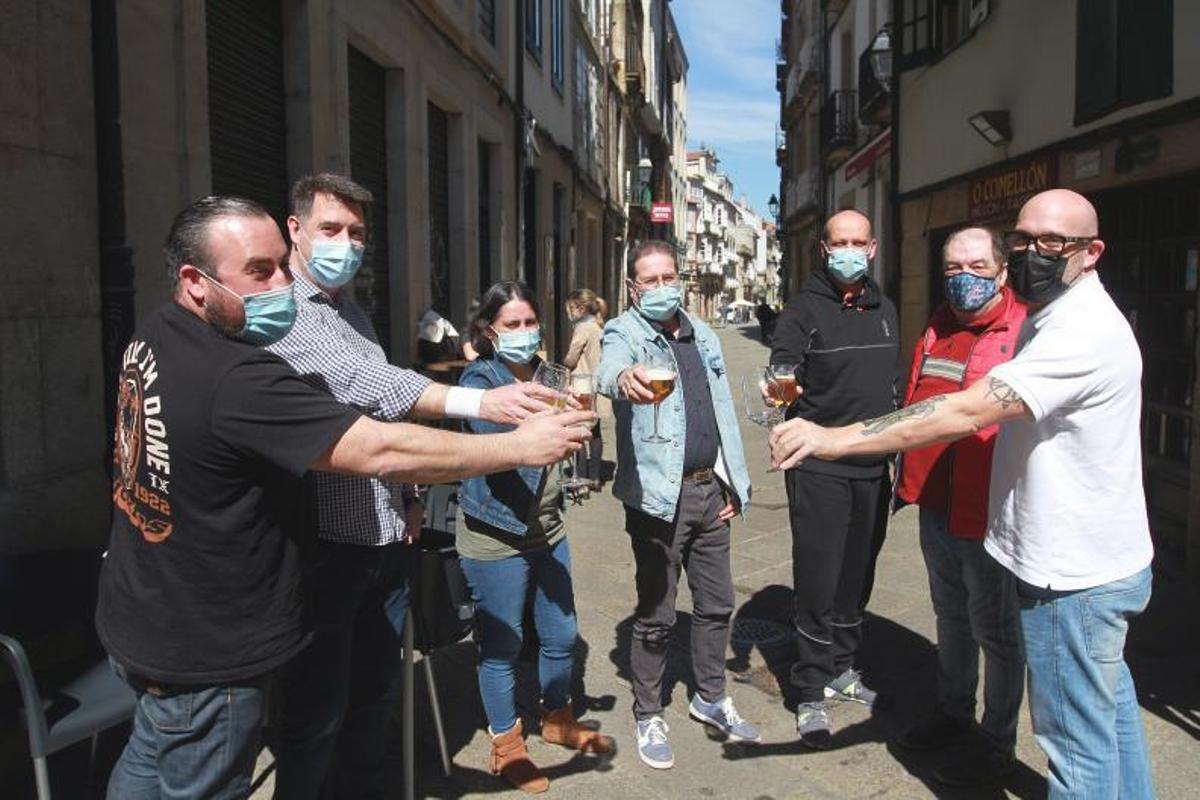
[[975, 598]]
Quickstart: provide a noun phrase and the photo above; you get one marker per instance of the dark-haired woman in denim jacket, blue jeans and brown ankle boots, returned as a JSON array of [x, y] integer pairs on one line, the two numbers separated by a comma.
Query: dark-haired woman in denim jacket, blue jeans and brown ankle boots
[[512, 543]]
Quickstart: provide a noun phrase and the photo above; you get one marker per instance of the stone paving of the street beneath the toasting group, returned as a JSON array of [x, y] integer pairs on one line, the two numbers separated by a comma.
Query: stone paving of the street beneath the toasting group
[[898, 658]]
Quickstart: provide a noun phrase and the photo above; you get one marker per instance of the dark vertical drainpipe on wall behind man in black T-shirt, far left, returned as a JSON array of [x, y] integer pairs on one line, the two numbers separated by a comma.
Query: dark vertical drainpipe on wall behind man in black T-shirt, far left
[[116, 257]]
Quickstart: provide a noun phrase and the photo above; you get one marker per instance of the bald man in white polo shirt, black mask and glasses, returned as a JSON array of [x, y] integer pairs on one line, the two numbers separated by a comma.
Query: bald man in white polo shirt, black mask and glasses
[[1067, 510]]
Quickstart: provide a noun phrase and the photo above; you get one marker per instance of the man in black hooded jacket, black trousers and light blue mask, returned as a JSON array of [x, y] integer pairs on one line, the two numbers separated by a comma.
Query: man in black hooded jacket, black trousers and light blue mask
[[842, 334]]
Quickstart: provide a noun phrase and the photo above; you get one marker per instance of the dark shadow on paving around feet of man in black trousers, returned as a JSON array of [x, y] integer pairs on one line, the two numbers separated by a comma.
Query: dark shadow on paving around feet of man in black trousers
[[898, 663]]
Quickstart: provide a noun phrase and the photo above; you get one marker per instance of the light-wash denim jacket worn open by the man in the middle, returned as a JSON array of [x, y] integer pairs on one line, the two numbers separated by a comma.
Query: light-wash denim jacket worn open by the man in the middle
[[650, 476]]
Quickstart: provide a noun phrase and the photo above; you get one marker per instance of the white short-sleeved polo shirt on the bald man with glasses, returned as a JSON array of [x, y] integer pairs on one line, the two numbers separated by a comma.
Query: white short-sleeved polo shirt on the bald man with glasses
[[1066, 506]]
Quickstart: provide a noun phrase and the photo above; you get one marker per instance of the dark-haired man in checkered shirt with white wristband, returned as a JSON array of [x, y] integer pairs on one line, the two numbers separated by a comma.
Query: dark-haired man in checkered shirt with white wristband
[[339, 691]]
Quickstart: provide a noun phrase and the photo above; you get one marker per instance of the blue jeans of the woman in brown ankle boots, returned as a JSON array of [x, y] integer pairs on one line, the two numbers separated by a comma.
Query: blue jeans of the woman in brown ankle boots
[[500, 590]]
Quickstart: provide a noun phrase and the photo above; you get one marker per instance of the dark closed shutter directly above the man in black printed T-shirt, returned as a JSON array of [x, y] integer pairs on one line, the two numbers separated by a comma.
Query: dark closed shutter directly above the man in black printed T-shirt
[[248, 135]]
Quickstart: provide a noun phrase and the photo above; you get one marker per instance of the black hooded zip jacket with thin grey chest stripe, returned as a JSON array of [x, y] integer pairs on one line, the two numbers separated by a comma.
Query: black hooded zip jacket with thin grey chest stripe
[[848, 363]]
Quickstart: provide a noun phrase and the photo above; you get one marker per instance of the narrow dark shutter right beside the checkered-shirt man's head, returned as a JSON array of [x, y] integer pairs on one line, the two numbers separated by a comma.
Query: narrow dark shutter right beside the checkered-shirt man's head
[[369, 167]]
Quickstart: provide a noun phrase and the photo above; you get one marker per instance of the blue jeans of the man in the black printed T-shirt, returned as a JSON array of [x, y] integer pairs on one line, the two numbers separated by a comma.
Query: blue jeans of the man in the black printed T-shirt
[[196, 742]]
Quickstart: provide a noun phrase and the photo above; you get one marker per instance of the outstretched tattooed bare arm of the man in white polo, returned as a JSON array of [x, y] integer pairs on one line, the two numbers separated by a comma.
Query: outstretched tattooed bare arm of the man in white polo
[[944, 418]]
